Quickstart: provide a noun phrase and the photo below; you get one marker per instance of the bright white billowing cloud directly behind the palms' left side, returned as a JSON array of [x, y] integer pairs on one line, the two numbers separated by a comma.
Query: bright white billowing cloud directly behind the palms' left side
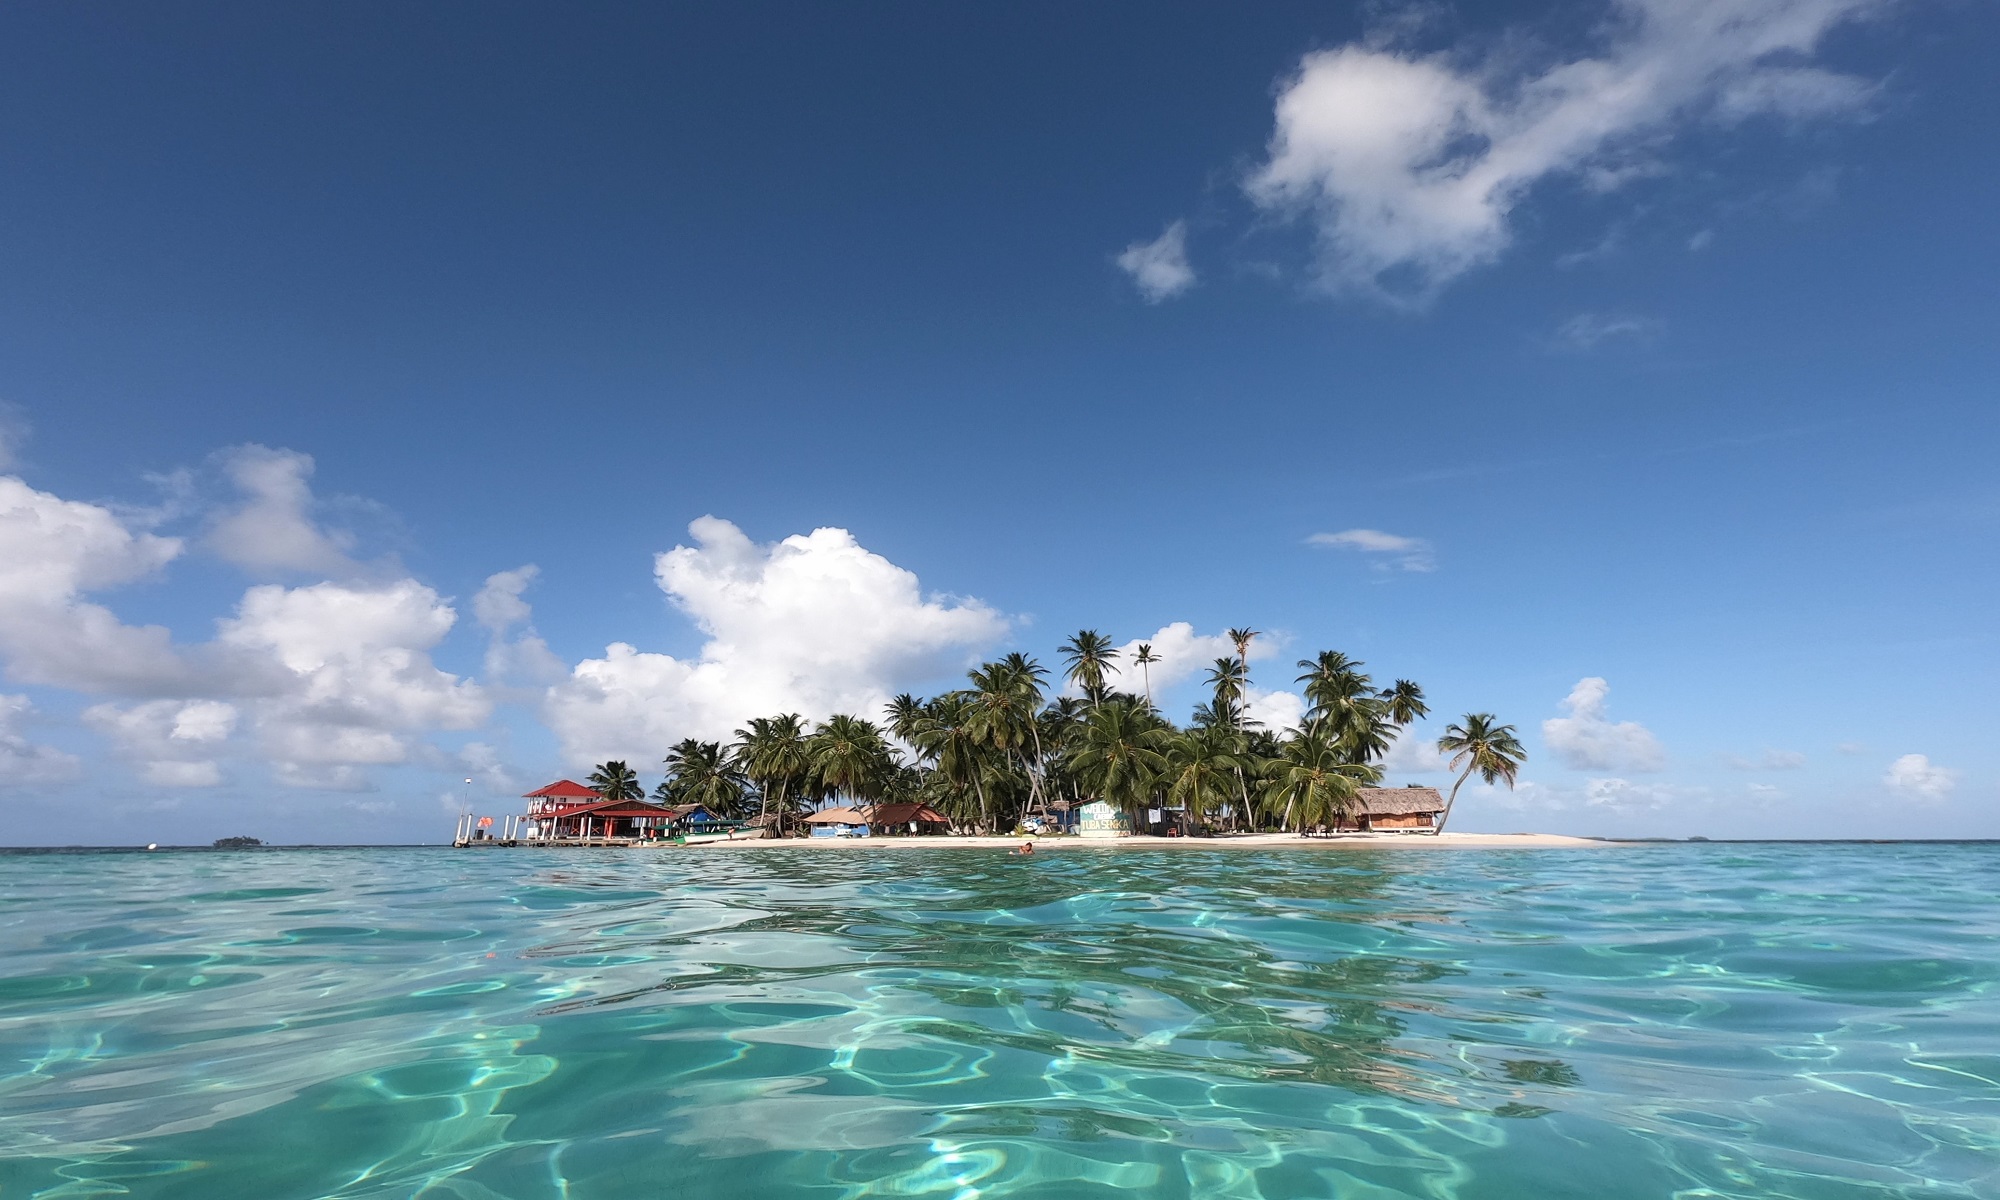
[[811, 625]]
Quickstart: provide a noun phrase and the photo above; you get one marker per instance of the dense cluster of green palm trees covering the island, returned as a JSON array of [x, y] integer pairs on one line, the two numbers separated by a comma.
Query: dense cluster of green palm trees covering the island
[[1003, 749]]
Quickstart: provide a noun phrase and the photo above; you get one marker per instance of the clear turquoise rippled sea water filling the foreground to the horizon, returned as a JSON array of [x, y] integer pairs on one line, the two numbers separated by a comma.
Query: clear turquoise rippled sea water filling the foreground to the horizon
[[1677, 1021]]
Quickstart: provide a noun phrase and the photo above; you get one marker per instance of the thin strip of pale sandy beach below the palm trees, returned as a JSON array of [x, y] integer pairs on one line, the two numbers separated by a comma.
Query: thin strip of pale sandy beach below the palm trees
[[1221, 843]]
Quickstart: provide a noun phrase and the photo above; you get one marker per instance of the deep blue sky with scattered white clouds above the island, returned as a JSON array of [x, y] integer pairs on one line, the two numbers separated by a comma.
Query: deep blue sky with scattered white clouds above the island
[[1617, 367]]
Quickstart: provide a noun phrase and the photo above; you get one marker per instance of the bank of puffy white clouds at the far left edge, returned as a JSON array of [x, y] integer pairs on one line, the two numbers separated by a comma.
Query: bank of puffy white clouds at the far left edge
[[319, 681]]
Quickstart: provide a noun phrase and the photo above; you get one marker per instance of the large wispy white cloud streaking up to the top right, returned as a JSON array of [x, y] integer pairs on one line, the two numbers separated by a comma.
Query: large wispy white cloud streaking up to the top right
[[1411, 165]]
